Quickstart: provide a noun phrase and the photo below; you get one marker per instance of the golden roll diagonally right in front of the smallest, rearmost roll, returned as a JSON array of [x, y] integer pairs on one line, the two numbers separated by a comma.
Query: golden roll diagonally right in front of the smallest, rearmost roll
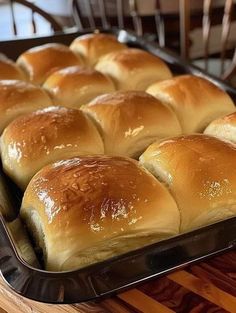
[[133, 69]]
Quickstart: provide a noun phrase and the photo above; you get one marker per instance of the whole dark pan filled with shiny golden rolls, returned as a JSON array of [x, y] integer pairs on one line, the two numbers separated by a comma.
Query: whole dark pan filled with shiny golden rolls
[[117, 164]]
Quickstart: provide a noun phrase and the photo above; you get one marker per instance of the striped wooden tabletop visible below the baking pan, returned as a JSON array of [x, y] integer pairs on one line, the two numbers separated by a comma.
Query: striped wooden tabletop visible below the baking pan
[[205, 287]]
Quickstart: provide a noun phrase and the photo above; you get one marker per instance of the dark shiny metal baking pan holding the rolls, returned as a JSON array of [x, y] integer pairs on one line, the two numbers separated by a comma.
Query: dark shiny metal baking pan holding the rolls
[[118, 273]]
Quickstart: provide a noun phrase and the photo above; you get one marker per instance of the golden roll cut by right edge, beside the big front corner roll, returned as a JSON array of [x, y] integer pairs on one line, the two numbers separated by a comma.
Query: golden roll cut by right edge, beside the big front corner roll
[[200, 172]]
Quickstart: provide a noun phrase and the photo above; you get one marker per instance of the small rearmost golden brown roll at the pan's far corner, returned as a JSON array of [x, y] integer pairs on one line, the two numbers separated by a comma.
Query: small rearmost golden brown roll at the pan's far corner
[[91, 47]]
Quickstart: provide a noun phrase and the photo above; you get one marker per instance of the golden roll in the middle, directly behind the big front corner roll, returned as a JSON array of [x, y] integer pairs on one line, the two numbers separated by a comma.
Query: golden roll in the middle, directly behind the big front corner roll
[[129, 121]]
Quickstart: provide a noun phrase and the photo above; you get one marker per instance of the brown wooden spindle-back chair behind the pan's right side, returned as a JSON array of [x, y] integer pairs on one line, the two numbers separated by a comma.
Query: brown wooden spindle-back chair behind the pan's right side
[[173, 30]]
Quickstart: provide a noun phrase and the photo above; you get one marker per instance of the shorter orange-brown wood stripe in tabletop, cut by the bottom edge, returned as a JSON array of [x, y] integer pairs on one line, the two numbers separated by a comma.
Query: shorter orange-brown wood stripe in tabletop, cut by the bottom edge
[[143, 302]]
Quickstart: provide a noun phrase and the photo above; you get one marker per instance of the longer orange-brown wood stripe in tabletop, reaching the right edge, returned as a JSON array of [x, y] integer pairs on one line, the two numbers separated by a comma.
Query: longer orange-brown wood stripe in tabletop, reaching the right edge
[[206, 290]]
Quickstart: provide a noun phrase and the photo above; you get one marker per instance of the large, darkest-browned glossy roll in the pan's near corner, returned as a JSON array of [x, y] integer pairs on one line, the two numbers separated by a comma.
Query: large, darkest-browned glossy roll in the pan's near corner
[[88, 209]]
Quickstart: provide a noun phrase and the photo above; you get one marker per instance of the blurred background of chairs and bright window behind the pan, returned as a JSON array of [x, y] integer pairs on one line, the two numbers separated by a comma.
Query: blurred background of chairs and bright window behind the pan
[[195, 29]]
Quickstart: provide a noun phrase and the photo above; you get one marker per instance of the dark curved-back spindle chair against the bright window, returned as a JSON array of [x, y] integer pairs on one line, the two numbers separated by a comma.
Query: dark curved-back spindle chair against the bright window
[[35, 11]]
